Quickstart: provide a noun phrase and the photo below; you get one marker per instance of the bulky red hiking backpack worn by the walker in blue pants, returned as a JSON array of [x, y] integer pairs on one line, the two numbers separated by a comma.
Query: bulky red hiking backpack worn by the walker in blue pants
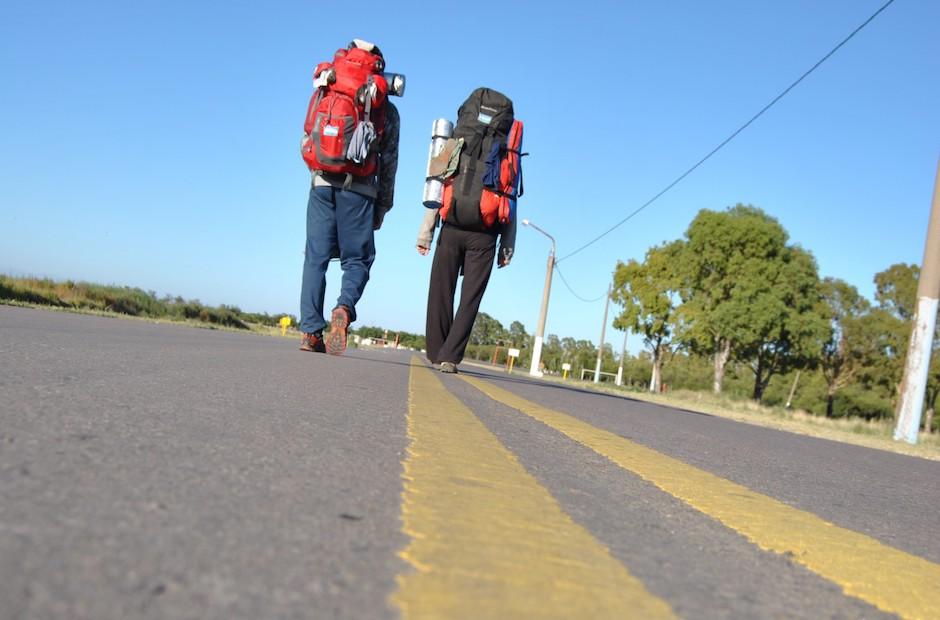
[[346, 116]]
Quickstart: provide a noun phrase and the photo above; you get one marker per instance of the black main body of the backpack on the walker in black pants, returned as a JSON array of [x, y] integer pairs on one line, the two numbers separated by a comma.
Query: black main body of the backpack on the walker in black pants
[[484, 118]]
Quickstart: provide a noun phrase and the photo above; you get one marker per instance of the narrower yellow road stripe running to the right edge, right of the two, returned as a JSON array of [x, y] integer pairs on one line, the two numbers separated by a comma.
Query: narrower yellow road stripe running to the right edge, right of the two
[[890, 579]]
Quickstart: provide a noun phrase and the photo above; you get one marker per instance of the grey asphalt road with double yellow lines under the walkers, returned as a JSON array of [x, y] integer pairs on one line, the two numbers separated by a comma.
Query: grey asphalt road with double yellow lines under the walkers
[[160, 471]]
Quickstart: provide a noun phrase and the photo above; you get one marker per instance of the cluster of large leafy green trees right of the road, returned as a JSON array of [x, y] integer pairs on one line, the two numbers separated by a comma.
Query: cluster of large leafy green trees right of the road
[[735, 291]]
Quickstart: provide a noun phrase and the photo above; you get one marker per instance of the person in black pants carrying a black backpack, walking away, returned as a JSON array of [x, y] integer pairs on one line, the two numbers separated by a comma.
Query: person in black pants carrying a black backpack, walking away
[[477, 214]]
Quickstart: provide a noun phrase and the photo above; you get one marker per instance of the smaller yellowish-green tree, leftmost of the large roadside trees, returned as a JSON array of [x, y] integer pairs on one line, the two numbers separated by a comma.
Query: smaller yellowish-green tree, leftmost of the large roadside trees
[[647, 292]]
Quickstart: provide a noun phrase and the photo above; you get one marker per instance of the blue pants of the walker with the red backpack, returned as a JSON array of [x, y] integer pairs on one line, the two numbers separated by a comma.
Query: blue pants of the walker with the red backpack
[[336, 219]]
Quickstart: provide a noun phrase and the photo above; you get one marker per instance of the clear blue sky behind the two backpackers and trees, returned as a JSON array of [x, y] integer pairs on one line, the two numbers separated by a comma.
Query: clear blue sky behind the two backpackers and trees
[[155, 144]]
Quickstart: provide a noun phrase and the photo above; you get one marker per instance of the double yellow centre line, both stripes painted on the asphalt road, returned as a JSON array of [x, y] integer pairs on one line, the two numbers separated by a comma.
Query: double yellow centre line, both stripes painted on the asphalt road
[[489, 541]]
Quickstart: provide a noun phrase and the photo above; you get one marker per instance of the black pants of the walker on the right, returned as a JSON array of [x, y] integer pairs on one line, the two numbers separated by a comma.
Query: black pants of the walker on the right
[[457, 251]]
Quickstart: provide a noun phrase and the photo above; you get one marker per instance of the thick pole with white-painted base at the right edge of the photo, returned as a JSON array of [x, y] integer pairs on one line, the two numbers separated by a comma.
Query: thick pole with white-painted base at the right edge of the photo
[[914, 383]]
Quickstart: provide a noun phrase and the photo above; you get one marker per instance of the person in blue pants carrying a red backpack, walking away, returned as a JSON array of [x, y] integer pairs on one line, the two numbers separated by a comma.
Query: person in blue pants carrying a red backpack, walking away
[[350, 145]]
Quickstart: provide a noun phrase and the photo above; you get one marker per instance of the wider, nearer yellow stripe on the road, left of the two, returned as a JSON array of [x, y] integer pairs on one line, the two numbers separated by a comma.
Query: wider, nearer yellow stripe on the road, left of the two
[[487, 540]]
